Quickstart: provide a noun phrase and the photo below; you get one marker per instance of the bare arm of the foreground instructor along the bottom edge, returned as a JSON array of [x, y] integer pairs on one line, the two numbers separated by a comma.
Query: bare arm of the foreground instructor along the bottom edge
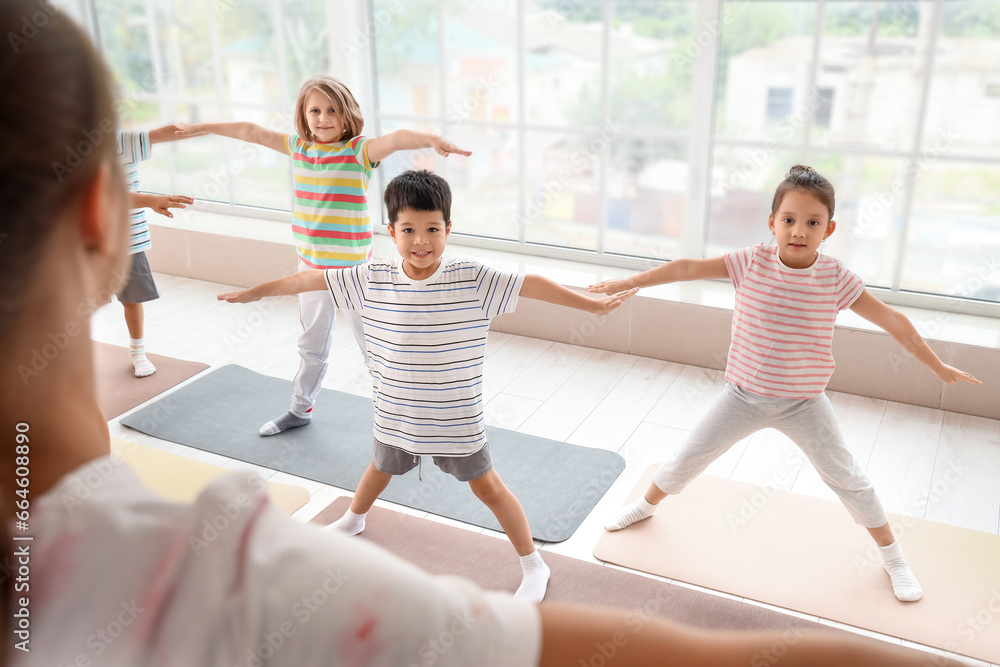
[[572, 635]]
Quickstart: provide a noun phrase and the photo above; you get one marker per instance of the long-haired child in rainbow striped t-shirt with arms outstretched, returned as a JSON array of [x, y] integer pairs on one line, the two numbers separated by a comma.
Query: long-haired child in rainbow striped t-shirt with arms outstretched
[[332, 164]]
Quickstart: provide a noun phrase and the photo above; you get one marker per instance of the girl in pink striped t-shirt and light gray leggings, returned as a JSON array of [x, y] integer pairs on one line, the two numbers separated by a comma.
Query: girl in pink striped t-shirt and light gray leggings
[[780, 359]]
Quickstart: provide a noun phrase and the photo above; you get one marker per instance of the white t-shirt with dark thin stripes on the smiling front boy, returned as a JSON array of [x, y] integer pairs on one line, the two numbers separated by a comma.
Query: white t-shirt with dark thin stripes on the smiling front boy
[[425, 341]]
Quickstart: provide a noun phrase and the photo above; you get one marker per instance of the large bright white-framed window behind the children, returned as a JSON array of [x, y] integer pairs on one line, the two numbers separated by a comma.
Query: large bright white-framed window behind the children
[[615, 130]]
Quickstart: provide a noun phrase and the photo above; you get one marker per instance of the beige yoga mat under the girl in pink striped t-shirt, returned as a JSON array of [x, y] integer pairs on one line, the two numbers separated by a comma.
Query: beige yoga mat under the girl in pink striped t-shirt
[[806, 554]]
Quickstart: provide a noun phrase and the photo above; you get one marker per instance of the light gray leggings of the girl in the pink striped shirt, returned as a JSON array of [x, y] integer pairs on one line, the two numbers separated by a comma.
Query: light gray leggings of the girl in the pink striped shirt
[[810, 423]]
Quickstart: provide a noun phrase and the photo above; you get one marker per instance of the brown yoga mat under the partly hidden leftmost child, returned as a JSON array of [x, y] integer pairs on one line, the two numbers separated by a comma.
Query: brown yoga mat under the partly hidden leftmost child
[[119, 390]]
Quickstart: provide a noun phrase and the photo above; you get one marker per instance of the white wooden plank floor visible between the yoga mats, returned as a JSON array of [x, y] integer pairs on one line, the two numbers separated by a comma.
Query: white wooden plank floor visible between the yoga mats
[[636, 406]]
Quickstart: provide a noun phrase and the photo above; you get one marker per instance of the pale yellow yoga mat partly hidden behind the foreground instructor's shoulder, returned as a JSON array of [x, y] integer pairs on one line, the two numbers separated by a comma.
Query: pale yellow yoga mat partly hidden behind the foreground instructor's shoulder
[[180, 479]]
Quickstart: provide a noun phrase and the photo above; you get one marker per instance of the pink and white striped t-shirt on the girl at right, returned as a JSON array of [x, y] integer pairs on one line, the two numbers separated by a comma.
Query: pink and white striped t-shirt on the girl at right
[[783, 321]]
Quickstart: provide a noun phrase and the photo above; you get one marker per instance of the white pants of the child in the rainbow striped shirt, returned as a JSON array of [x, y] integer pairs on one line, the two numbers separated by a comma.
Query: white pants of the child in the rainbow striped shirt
[[316, 314]]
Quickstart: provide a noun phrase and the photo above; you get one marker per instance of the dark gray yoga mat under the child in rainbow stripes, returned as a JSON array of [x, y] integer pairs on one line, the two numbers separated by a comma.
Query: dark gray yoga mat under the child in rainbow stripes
[[558, 484]]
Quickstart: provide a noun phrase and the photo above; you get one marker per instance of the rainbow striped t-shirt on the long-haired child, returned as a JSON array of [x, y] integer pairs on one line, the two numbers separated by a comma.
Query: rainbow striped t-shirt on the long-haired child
[[331, 225]]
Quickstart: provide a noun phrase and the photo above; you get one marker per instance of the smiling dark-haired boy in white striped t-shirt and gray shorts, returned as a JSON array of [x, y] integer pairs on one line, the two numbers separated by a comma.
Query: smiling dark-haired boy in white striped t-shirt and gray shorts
[[425, 324]]
